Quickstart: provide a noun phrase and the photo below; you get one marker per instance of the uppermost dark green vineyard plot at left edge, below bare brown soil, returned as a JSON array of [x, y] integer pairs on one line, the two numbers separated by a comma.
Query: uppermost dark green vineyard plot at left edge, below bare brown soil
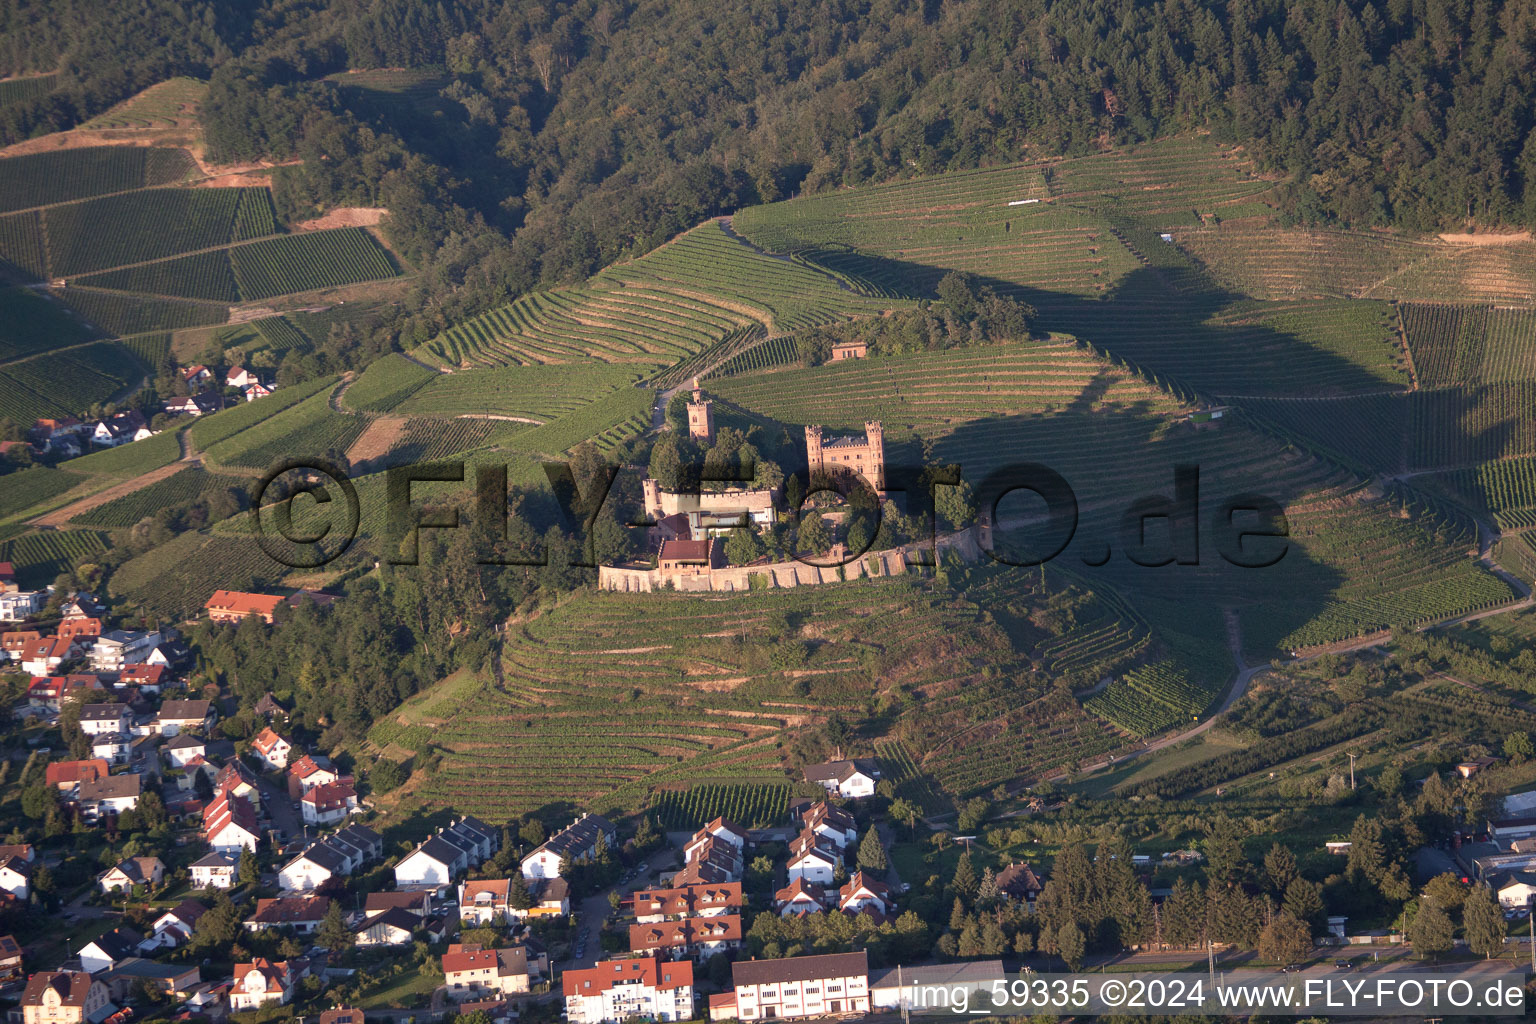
[[79, 174]]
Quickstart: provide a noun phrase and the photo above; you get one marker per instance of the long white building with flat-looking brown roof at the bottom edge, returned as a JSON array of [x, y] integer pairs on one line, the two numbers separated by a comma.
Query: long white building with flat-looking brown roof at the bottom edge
[[803, 986]]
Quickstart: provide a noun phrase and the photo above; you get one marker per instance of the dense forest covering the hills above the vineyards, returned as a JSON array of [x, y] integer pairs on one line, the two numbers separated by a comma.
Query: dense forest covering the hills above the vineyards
[[555, 139]]
